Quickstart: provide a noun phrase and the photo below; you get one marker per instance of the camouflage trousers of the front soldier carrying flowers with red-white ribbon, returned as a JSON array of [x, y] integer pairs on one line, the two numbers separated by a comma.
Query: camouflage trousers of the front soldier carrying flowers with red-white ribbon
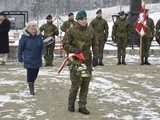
[[77, 82]]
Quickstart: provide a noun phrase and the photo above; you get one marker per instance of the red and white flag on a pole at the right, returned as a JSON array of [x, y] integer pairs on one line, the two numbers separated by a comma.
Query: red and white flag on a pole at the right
[[140, 25]]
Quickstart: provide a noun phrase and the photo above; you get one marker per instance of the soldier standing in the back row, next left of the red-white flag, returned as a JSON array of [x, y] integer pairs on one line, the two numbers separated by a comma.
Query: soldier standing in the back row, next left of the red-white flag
[[120, 36]]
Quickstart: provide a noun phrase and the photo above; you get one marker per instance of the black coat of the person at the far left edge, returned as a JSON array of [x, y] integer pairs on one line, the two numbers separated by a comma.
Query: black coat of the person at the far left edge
[[4, 38]]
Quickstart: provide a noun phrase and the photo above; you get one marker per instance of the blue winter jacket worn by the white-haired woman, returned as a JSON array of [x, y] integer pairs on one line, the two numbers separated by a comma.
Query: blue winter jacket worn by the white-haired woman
[[30, 50]]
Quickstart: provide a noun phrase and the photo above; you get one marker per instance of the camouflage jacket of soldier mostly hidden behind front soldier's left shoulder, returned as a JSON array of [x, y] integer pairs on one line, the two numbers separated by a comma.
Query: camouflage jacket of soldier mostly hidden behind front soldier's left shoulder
[[67, 24]]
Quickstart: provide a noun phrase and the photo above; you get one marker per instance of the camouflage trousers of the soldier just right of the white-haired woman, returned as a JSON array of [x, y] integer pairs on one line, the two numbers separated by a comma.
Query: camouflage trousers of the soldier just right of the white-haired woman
[[49, 54]]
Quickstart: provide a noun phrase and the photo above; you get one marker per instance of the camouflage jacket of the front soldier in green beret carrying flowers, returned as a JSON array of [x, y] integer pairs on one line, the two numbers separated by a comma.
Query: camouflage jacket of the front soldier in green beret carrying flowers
[[78, 38]]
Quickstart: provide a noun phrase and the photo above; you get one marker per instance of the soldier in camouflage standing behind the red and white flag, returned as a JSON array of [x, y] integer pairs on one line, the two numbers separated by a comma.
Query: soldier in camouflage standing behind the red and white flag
[[146, 40]]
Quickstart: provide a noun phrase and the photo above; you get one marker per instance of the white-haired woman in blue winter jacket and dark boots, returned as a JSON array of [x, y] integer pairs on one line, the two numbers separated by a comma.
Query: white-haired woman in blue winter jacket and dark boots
[[30, 53]]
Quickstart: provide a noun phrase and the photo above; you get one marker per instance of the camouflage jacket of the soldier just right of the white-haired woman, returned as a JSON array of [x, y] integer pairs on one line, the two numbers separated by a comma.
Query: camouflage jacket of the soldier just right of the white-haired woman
[[50, 30]]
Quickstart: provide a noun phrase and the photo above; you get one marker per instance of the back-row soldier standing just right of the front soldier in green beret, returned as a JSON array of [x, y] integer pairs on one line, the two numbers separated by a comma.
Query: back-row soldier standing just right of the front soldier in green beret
[[100, 27]]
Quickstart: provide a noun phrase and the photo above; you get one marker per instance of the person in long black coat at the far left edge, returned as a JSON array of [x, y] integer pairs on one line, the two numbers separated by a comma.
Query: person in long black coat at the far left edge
[[4, 38]]
